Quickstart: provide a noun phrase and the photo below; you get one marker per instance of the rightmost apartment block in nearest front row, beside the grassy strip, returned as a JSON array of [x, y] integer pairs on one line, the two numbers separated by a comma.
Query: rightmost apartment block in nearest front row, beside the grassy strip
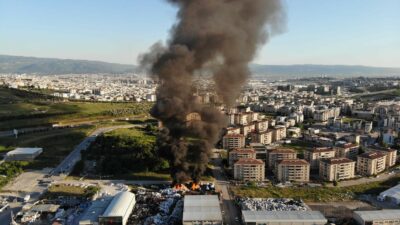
[[371, 163]]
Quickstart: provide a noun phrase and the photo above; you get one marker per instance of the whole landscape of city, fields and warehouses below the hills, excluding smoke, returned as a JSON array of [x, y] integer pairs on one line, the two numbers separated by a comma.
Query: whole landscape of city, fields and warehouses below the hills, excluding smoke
[[82, 149]]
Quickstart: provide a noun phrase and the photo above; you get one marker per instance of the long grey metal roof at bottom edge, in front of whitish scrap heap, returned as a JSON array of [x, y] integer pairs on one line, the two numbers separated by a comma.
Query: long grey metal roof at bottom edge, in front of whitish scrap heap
[[283, 216]]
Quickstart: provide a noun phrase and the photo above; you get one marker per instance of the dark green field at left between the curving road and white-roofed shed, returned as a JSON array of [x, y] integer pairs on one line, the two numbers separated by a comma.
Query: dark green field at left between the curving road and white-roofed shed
[[56, 144]]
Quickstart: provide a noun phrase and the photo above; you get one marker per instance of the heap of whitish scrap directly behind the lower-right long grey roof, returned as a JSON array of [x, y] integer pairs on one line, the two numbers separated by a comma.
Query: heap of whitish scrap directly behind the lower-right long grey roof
[[272, 204]]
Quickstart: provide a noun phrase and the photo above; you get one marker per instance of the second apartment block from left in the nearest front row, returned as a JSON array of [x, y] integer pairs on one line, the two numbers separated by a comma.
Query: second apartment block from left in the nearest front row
[[297, 170]]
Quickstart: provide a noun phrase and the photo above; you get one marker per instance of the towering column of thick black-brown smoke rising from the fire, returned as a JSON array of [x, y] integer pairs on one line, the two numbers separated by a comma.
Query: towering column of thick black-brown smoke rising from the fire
[[221, 33]]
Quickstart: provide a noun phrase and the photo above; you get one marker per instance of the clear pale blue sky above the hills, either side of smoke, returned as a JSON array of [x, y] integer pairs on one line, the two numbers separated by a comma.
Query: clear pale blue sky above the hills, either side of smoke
[[332, 32]]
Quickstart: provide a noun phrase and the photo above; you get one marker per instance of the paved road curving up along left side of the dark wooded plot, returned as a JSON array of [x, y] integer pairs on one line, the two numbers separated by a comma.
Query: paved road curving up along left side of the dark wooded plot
[[69, 162]]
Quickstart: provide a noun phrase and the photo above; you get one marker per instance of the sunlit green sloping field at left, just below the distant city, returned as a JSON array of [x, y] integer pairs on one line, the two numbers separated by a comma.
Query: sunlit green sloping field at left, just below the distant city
[[20, 109]]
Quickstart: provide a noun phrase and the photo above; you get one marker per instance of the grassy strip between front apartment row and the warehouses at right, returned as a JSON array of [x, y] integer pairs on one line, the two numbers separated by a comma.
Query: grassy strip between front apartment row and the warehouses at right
[[316, 194]]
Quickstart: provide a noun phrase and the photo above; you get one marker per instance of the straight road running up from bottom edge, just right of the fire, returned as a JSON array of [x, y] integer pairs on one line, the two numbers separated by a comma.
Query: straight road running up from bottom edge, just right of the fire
[[228, 205]]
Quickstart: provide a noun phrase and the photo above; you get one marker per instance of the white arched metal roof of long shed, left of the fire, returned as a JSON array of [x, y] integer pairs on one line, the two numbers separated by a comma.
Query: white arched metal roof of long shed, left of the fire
[[120, 204]]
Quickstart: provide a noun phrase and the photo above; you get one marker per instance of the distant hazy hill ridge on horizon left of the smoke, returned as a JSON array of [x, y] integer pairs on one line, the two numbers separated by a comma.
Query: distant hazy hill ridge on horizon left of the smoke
[[20, 64]]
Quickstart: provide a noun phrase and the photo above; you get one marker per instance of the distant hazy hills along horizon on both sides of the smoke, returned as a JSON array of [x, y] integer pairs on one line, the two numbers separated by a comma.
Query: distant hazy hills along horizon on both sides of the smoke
[[20, 64]]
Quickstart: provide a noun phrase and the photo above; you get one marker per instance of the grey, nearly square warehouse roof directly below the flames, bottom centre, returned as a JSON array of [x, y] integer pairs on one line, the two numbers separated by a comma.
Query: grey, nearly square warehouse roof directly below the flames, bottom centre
[[201, 208]]
